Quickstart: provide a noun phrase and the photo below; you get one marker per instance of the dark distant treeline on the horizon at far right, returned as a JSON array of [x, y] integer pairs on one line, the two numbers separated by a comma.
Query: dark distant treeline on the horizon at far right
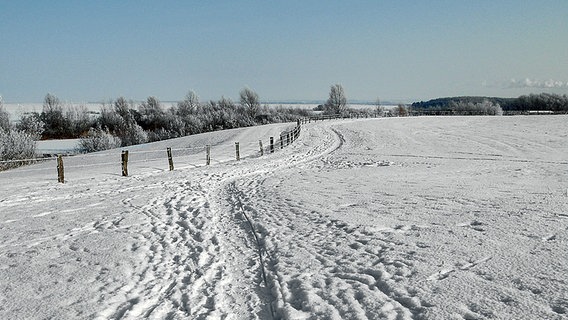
[[523, 104]]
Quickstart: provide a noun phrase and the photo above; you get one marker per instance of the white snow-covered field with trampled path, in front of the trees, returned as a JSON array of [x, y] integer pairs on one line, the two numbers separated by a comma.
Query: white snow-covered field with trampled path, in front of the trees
[[398, 218]]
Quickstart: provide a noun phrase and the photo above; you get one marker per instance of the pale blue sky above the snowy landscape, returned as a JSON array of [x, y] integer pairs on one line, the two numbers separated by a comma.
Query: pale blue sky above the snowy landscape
[[88, 51]]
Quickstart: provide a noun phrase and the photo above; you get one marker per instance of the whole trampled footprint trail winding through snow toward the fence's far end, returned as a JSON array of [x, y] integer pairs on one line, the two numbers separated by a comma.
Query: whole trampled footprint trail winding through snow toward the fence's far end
[[183, 272]]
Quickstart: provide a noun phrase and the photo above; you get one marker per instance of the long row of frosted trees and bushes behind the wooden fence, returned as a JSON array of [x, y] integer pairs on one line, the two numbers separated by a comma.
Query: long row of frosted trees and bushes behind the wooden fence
[[123, 122]]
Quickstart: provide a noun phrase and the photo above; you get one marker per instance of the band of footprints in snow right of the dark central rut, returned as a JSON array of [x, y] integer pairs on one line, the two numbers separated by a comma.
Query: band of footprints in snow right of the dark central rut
[[351, 270]]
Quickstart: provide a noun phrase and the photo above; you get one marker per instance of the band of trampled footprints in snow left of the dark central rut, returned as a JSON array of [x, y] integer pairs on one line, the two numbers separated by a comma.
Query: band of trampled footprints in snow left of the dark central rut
[[180, 270]]
